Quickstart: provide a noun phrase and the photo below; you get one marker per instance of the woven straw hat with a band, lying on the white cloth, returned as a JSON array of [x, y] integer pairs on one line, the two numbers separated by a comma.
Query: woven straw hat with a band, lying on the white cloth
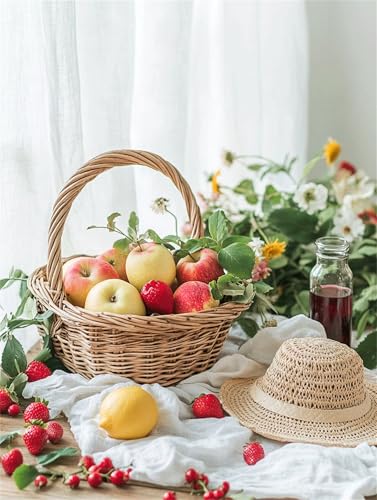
[[314, 391]]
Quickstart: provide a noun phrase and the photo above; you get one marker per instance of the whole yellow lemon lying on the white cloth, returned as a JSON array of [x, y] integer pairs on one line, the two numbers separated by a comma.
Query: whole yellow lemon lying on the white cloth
[[128, 413]]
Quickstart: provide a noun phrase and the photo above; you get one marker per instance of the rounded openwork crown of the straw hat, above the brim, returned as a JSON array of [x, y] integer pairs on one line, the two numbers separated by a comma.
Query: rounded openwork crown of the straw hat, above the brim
[[315, 373]]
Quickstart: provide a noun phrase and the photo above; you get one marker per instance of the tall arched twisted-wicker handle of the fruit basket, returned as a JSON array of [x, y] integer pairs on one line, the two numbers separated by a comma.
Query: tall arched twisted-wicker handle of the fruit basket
[[88, 172]]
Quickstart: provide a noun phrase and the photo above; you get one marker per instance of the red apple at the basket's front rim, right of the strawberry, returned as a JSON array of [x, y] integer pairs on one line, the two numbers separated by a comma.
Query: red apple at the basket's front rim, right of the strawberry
[[193, 296]]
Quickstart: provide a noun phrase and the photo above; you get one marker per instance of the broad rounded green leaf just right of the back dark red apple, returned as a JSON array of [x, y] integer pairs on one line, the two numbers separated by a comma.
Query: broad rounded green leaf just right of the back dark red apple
[[237, 259]]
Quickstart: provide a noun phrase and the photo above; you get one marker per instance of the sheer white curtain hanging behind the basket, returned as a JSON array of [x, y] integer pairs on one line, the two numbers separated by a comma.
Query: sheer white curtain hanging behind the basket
[[183, 78]]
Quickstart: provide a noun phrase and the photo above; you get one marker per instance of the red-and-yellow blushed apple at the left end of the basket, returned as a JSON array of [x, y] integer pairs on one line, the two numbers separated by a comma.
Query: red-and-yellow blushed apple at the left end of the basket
[[81, 274]]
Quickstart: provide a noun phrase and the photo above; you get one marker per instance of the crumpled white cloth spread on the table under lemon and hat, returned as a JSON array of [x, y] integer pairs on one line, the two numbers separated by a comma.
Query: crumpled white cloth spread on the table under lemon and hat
[[214, 445]]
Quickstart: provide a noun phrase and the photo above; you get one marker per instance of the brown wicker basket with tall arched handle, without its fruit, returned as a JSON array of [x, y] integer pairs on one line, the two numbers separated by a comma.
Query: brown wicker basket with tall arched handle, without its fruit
[[148, 349]]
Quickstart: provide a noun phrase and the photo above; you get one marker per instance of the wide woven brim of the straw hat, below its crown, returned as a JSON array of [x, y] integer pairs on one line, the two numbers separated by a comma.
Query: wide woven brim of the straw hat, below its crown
[[235, 396]]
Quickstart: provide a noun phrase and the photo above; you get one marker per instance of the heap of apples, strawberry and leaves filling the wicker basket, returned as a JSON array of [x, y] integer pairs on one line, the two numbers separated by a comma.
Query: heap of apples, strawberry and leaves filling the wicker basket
[[148, 274]]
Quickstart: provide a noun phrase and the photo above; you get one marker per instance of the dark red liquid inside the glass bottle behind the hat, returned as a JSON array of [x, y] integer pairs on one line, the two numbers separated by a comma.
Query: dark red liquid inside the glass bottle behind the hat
[[331, 305]]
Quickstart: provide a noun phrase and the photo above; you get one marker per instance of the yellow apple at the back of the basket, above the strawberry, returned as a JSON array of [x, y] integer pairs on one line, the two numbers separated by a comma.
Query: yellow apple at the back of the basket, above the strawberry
[[150, 261]]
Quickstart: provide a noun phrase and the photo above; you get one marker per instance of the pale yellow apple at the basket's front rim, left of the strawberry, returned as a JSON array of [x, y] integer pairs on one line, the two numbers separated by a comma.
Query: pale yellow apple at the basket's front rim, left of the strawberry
[[115, 296]]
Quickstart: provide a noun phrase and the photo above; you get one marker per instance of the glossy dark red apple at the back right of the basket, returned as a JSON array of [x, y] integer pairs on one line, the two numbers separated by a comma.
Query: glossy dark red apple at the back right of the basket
[[200, 266]]
